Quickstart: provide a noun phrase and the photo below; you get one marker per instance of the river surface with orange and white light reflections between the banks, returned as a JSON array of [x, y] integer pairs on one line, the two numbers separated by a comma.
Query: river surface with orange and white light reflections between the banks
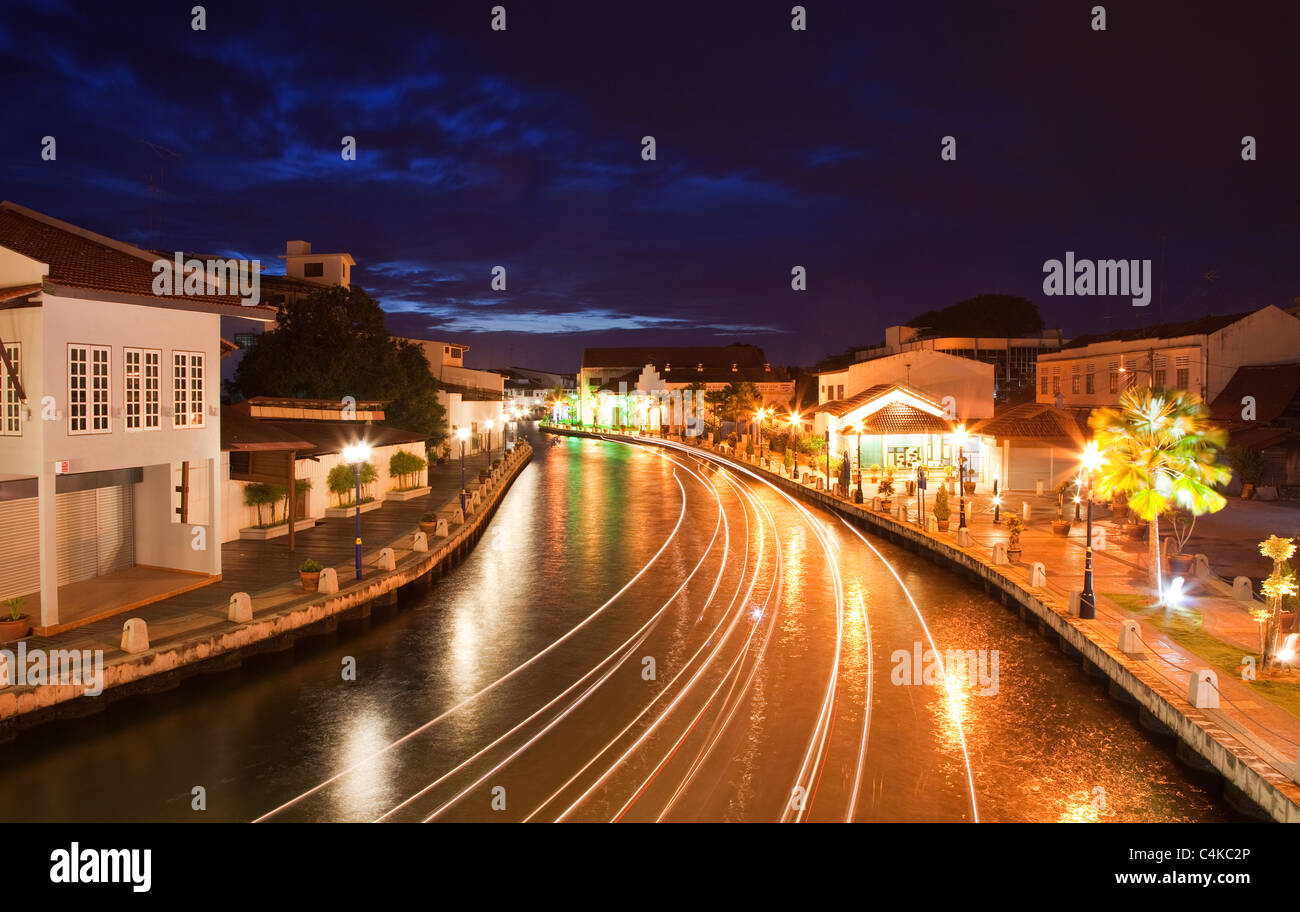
[[582, 522]]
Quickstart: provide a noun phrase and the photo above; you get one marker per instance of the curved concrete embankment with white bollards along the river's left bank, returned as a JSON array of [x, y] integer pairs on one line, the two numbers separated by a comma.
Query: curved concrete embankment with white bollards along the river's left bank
[[270, 622]]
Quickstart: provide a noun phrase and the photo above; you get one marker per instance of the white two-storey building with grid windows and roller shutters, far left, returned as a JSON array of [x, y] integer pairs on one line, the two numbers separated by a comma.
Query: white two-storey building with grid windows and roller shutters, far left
[[110, 448]]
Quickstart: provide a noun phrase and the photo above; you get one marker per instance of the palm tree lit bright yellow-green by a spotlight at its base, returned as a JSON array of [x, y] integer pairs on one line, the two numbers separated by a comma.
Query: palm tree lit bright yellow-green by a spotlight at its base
[[1162, 451]]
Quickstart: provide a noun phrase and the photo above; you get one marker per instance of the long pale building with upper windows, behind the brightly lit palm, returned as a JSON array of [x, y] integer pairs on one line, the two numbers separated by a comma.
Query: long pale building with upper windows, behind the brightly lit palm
[[1197, 355]]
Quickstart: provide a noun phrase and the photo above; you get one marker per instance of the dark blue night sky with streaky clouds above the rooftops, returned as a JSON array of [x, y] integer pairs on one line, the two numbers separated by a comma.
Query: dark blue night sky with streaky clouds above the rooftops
[[775, 149]]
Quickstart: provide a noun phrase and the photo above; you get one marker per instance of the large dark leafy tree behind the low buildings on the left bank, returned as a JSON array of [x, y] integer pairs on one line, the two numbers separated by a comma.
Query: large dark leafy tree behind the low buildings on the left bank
[[333, 344]]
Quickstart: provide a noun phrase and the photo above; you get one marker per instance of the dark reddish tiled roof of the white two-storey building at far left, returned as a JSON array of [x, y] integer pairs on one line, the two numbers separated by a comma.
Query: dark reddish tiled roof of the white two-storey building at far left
[[80, 259]]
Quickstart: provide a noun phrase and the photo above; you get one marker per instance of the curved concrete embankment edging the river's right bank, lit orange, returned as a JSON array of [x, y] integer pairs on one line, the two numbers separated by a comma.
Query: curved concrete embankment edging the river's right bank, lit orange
[[1203, 742]]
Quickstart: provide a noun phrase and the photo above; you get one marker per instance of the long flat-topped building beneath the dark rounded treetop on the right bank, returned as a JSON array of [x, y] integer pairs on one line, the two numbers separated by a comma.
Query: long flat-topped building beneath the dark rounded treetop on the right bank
[[1013, 359]]
